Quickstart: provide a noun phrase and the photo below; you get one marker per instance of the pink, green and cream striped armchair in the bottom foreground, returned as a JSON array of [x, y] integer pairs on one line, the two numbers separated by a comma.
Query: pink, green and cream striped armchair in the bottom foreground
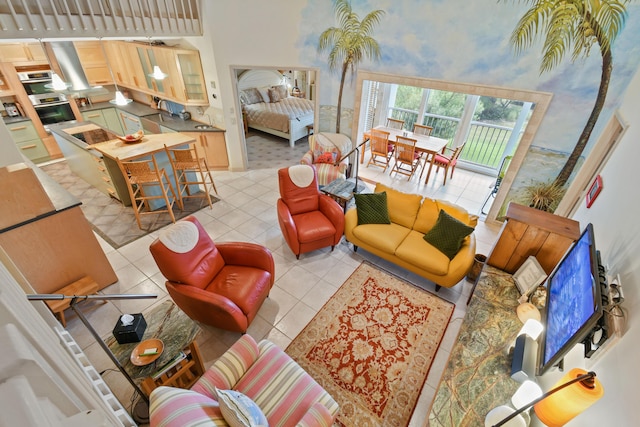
[[285, 394]]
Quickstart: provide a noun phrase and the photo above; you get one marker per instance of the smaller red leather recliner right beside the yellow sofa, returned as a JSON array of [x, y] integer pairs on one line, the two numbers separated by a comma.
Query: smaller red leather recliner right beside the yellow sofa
[[308, 219]]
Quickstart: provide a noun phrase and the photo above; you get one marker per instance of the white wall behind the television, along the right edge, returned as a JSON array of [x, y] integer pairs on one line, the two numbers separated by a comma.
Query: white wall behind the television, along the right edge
[[614, 216]]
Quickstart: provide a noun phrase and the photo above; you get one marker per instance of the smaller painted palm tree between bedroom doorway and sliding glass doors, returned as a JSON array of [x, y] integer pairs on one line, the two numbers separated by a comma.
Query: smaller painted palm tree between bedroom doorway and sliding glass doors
[[349, 43]]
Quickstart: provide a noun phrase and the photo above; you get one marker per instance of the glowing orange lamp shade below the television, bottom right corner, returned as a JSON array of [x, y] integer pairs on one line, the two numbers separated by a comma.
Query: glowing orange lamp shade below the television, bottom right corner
[[562, 406]]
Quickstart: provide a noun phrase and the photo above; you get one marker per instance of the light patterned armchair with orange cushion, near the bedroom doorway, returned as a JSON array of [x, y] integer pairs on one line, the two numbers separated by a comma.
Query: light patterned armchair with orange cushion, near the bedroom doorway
[[325, 149]]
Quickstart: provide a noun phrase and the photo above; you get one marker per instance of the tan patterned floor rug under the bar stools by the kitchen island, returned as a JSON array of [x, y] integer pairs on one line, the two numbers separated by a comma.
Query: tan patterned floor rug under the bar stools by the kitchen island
[[109, 218]]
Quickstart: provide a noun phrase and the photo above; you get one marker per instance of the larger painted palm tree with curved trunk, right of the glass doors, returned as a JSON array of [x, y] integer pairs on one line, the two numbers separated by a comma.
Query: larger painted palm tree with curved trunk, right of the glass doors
[[576, 26]]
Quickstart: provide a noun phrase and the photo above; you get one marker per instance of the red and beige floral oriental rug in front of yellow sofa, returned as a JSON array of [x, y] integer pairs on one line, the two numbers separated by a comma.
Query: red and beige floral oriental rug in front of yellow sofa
[[371, 346]]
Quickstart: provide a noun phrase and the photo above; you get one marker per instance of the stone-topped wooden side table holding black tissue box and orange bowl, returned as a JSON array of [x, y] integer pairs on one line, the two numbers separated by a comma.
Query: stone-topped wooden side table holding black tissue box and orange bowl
[[177, 332]]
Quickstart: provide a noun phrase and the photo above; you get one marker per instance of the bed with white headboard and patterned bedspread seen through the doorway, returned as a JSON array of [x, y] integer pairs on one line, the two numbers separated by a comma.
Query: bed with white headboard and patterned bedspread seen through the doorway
[[269, 108]]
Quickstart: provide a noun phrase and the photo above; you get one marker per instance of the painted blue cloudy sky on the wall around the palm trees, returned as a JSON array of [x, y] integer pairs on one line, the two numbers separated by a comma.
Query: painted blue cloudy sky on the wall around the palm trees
[[468, 41]]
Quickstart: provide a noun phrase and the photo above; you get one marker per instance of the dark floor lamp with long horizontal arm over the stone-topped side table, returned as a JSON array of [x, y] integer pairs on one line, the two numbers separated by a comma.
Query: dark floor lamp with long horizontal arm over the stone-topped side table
[[141, 410]]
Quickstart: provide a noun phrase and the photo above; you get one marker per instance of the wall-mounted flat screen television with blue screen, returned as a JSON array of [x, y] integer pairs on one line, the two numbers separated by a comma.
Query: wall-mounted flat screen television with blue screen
[[574, 305]]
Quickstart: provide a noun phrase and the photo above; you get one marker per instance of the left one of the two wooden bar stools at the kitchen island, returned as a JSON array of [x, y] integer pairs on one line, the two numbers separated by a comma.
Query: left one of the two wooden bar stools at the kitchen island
[[143, 178]]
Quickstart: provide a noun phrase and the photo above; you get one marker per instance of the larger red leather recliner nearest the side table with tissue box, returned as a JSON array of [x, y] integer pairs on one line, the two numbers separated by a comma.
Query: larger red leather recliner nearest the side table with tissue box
[[220, 285]]
